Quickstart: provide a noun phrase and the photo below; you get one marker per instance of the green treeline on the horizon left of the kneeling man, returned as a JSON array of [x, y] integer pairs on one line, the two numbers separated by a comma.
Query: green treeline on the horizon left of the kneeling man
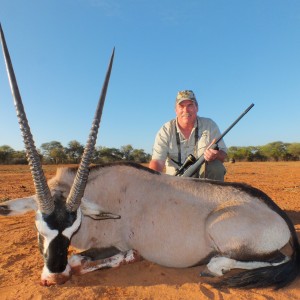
[[55, 153]]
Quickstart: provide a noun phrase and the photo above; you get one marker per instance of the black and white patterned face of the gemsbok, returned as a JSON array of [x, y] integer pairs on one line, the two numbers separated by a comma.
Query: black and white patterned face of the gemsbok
[[54, 235]]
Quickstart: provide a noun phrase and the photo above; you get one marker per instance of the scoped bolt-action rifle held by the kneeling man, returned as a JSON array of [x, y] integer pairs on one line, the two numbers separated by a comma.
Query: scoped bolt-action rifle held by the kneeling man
[[191, 165]]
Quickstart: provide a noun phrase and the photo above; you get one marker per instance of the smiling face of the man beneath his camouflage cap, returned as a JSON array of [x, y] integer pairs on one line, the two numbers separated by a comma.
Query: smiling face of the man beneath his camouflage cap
[[186, 112]]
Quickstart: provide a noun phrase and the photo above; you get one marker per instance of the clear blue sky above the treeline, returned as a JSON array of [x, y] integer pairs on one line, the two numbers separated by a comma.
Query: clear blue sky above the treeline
[[230, 53]]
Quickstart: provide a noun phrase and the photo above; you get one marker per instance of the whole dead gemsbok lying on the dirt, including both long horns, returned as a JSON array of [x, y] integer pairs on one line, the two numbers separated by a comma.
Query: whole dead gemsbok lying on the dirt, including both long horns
[[118, 213]]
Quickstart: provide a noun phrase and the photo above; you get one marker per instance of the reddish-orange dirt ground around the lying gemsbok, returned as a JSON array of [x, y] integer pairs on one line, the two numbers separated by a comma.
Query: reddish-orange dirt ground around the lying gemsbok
[[21, 263]]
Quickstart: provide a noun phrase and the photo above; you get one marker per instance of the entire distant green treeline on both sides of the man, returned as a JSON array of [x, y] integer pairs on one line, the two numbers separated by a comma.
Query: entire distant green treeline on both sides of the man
[[54, 153]]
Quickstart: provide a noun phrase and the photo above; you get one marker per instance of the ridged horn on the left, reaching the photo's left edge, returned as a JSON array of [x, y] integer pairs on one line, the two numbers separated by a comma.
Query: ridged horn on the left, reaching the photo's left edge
[[45, 201]]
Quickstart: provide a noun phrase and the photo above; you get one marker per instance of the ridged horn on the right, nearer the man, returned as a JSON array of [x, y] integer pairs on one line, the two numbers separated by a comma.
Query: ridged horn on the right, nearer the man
[[78, 187]]
